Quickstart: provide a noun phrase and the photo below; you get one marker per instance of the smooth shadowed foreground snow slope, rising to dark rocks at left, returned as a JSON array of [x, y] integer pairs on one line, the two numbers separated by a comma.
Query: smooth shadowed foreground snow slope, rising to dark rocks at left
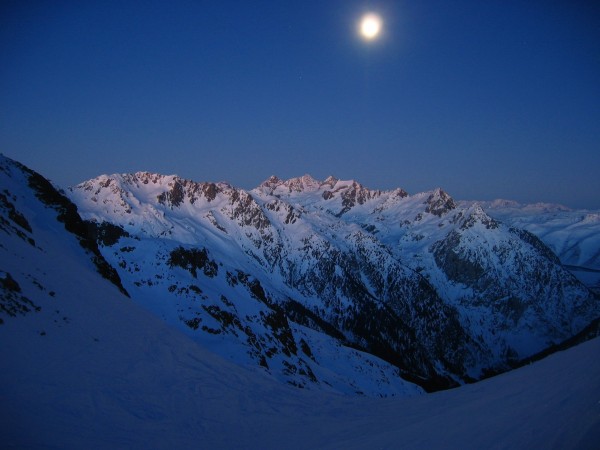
[[84, 366]]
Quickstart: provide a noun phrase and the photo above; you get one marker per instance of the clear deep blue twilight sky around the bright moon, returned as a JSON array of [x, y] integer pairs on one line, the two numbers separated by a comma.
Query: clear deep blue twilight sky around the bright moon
[[486, 99]]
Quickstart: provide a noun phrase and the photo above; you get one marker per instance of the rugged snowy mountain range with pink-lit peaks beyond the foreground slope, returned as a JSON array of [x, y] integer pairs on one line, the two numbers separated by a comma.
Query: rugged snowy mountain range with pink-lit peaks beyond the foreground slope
[[278, 275]]
